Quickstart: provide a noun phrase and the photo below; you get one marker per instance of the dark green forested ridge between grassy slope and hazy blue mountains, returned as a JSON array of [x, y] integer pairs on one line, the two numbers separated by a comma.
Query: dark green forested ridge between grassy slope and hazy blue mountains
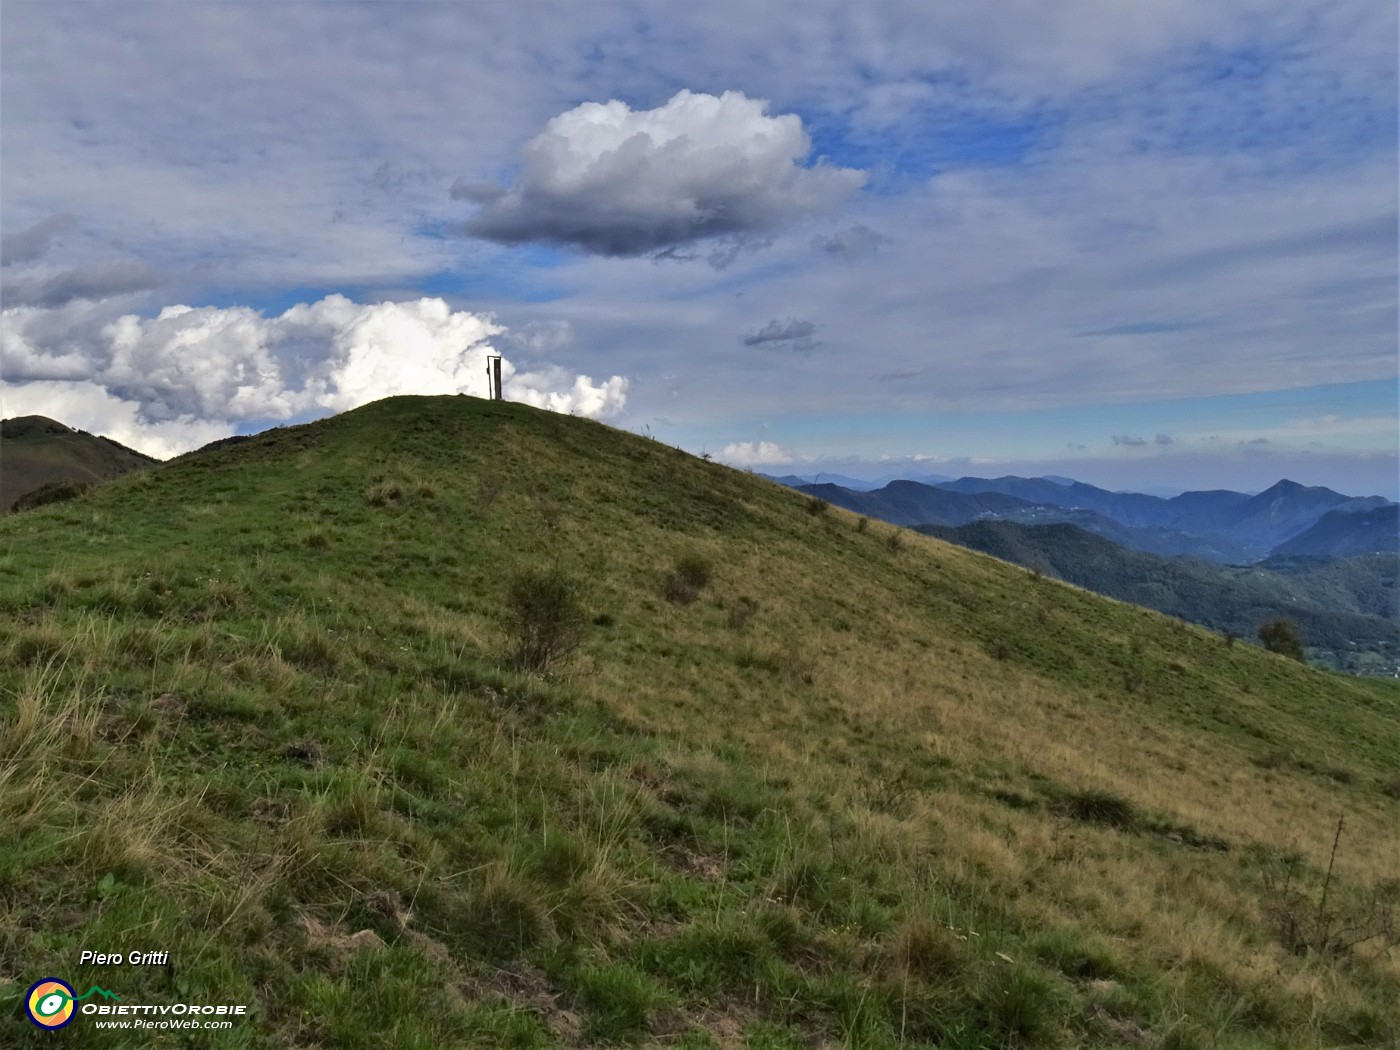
[[1343, 608]]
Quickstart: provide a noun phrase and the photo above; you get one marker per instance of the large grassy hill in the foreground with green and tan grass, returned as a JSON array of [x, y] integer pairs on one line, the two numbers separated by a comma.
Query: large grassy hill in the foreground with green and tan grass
[[807, 780]]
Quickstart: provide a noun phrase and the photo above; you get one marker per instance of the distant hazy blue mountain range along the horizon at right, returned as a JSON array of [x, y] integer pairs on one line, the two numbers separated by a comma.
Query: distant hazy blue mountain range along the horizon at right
[[1217, 526]]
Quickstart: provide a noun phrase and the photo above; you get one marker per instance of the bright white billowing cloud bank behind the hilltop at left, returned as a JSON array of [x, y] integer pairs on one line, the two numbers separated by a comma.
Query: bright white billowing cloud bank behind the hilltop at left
[[192, 374]]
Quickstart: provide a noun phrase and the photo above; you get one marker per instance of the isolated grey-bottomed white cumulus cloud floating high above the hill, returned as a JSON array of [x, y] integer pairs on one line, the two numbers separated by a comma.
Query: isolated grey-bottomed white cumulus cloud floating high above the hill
[[614, 181]]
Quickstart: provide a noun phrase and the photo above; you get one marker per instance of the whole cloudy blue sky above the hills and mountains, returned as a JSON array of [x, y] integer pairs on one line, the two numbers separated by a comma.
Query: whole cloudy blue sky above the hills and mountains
[[1149, 247]]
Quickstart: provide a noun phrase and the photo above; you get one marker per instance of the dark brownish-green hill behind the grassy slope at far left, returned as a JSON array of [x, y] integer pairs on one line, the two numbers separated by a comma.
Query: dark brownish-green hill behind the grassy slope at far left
[[41, 457]]
